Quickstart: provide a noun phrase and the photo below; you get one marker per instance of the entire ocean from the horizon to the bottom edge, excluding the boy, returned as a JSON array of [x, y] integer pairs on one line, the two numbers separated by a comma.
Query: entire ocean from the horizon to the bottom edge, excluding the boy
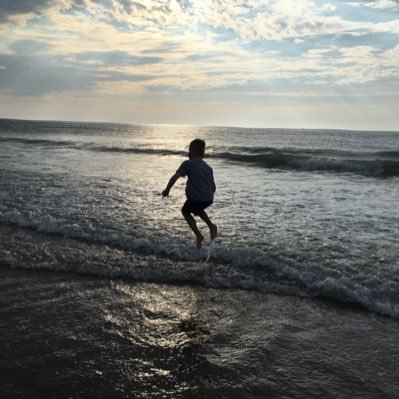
[[104, 294]]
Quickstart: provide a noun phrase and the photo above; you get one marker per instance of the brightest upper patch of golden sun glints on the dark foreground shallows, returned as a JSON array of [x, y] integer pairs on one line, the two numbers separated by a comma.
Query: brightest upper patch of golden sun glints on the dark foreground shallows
[[156, 317]]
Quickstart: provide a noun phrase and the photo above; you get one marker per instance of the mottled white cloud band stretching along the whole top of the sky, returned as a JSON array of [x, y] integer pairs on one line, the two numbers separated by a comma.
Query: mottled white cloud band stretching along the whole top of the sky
[[249, 19]]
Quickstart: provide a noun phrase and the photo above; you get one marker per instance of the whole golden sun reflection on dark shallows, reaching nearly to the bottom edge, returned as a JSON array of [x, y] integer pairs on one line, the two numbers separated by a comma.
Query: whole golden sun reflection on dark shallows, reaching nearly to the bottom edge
[[160, 333]]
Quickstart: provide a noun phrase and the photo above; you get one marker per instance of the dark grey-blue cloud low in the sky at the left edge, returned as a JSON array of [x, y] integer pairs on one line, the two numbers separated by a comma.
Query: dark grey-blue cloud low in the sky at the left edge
[[33, 70]]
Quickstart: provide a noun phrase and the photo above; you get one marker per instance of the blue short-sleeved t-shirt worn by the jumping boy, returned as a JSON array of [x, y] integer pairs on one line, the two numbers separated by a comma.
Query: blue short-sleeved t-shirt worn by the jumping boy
[[199, 179]]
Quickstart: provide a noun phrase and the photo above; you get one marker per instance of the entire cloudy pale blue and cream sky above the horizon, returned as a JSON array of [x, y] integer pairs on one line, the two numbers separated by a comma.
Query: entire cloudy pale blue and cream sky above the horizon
[[270, 63]]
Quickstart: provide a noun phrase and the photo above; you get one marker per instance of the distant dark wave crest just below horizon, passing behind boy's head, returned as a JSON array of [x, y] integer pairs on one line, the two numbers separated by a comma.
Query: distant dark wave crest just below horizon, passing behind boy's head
[[379, 163]]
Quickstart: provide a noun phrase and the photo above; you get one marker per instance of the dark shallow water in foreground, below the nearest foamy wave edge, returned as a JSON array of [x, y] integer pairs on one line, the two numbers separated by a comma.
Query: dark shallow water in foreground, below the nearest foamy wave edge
[[89, 337]]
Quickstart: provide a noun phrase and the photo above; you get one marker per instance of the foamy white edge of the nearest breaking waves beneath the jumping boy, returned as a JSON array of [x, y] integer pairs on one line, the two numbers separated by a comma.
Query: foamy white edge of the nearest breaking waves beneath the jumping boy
[[241, 267]]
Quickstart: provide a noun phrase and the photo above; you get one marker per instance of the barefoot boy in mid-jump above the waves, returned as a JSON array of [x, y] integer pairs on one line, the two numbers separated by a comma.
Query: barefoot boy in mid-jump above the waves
[[200, 188]]
